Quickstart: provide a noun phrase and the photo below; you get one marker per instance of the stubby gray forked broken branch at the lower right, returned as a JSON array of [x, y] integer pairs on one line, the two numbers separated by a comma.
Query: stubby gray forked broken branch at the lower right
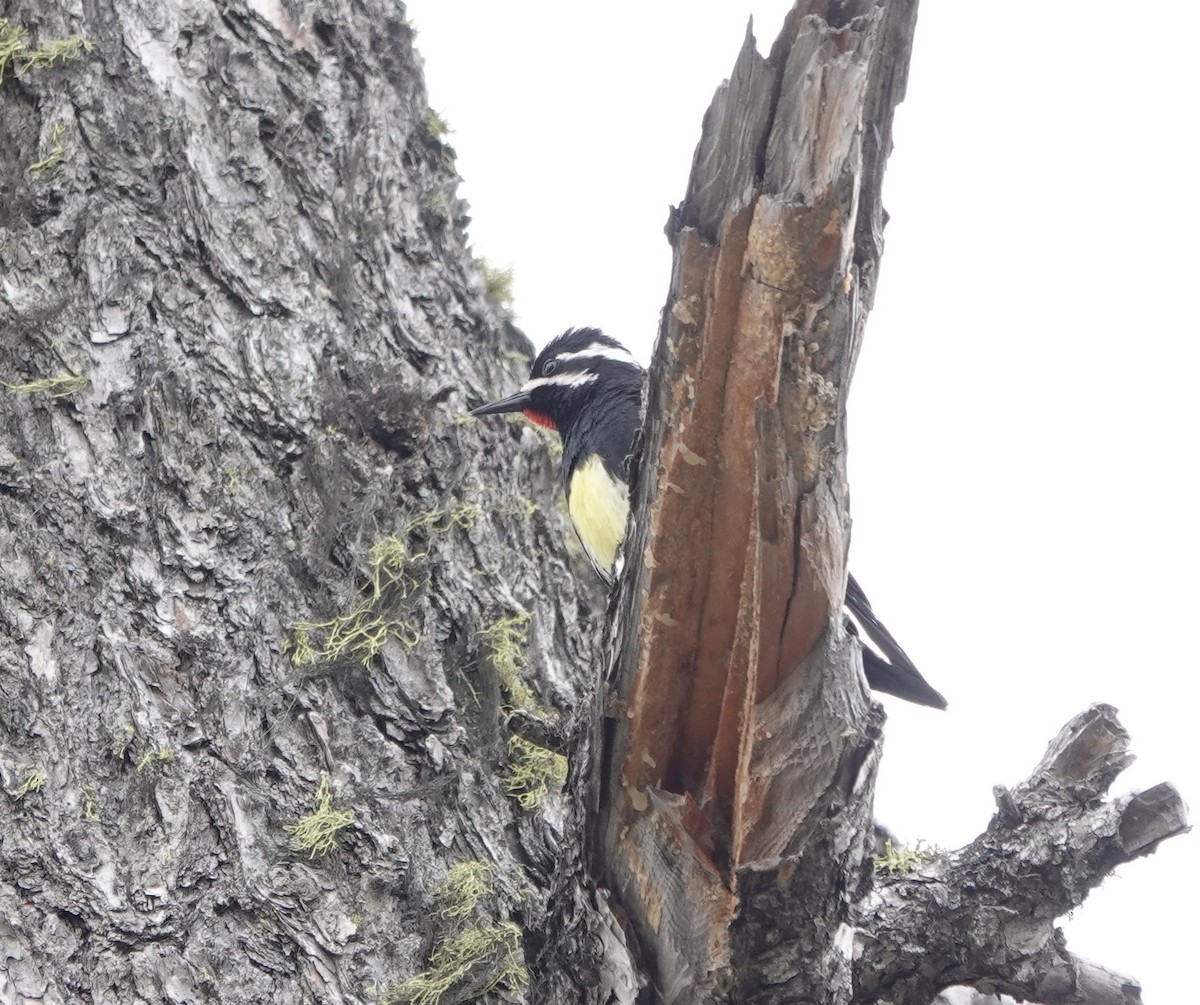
[[986, 916]]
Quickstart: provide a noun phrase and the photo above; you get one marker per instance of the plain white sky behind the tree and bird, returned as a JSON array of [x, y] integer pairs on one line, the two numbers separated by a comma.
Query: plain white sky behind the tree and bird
[[1024, 417]]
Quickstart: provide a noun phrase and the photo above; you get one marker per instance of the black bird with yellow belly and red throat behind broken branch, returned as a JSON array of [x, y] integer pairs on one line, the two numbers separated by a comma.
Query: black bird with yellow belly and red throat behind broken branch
[[589, 388]]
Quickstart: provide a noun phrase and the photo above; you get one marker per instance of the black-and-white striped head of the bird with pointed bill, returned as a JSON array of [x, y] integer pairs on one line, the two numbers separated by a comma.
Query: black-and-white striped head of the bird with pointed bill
[[574, 370]]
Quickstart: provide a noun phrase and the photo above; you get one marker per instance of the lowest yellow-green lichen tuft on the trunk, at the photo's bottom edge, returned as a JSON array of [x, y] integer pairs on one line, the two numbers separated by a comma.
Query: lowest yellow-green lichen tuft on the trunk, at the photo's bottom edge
[[466, 967]]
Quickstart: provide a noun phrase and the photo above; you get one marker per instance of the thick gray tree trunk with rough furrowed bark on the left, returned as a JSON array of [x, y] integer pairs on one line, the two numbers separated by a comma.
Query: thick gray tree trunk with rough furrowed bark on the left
[[248, 286]]
